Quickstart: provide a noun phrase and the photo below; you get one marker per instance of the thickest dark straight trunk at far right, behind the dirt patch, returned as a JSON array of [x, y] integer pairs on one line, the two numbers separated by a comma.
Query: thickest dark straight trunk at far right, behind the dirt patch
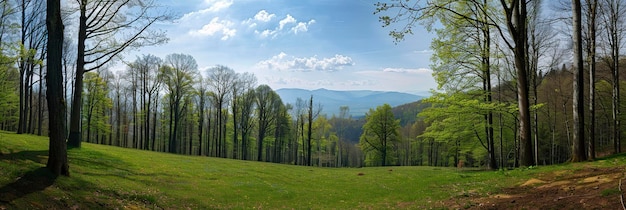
[[578, 137]]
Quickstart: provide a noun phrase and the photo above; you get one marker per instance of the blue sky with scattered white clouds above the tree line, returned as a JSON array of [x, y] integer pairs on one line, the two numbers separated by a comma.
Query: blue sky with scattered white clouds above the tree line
[[308, 44]]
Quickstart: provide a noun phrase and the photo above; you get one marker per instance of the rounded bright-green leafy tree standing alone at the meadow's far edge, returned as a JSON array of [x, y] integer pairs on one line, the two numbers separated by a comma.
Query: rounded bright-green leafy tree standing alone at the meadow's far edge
[[379, 131]]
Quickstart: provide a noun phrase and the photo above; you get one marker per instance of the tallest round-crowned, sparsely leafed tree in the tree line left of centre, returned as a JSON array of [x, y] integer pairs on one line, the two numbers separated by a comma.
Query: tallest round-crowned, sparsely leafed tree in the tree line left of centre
[[178, 77]]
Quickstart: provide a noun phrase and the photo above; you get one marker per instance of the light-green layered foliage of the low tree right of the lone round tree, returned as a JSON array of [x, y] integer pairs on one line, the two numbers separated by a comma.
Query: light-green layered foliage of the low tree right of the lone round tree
[[457, 120]]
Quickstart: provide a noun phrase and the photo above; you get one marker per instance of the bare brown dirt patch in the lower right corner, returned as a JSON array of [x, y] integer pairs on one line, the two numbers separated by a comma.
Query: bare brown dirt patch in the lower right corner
[[587, 188]]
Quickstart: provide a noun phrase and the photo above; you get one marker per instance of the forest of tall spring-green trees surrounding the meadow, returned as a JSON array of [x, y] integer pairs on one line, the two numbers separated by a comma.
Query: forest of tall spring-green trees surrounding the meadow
[[521, 83]]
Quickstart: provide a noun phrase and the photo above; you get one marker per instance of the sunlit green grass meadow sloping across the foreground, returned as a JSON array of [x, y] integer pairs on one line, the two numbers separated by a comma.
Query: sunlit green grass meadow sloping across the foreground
[[111, 177]]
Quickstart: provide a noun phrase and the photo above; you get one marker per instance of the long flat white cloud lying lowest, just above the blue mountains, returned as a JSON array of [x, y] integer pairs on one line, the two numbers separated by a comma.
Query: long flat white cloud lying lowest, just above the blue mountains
[[284, 62]]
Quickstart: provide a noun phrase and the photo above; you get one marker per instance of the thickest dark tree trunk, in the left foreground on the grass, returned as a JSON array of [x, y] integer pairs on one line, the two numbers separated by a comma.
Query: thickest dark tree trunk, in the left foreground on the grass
[[57, 153]]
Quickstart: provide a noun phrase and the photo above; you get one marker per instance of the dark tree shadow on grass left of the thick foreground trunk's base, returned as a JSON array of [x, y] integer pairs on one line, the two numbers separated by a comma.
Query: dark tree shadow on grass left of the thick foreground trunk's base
[[33, 181]]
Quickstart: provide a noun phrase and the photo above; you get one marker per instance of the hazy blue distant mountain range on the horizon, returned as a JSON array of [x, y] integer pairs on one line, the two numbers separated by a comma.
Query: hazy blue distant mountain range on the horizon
[[359, 101]]
